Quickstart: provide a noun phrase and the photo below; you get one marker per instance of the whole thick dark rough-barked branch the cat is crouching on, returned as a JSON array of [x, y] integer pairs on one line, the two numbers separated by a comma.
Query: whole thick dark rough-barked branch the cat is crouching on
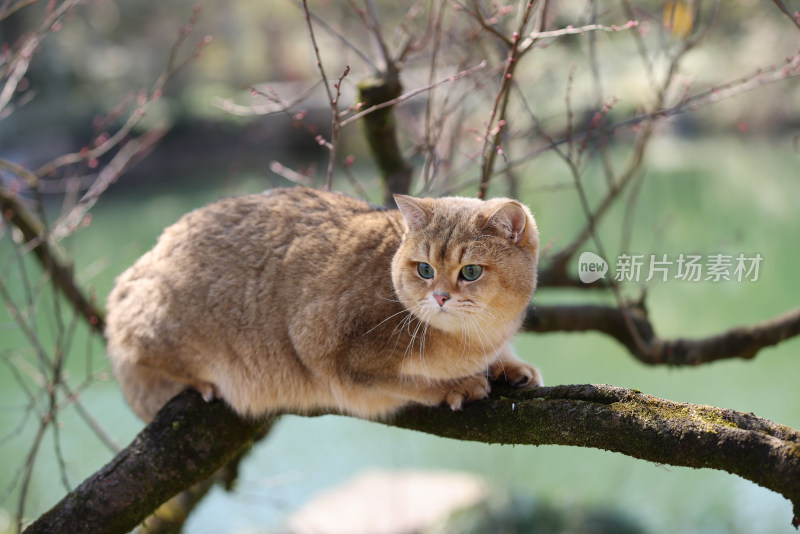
[[189, 440]]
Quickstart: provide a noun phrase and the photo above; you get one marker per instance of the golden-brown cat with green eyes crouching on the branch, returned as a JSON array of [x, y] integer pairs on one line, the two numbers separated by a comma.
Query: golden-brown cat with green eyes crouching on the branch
[[300, 300]]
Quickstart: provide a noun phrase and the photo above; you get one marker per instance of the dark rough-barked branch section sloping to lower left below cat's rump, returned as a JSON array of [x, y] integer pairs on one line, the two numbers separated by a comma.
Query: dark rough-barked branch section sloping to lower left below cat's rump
[[185, 444]]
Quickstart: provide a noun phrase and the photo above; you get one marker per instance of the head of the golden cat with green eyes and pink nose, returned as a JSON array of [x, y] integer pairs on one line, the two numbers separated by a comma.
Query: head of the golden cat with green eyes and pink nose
[[466, 264]]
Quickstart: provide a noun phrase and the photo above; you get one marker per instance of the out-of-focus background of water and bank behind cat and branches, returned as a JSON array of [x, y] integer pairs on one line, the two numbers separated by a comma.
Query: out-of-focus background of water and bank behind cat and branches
[[226, 97]]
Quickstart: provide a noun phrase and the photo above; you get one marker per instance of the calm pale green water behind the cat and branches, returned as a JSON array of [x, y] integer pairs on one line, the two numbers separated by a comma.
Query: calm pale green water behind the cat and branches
[[735, 196]]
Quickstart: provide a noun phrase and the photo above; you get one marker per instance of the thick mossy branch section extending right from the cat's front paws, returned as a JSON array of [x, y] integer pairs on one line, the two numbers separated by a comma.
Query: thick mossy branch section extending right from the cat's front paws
[[632, 423]]
